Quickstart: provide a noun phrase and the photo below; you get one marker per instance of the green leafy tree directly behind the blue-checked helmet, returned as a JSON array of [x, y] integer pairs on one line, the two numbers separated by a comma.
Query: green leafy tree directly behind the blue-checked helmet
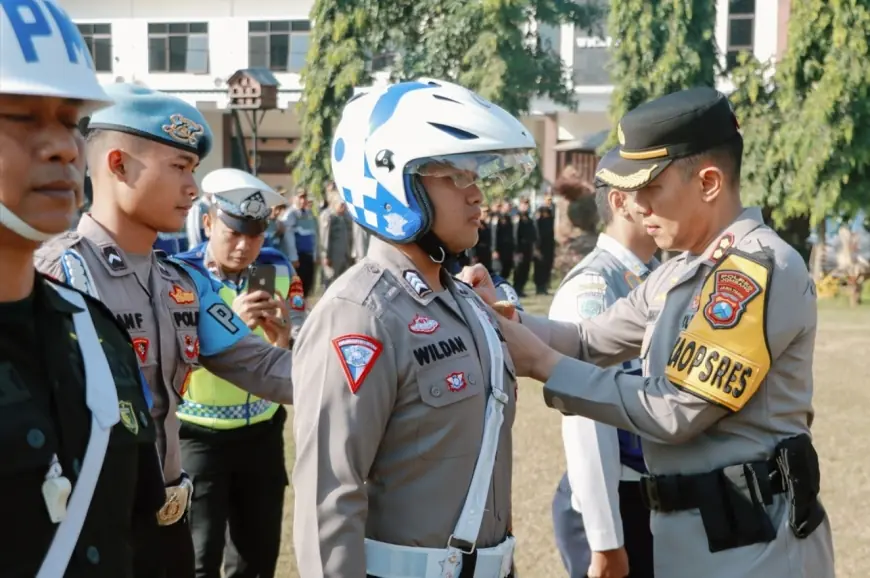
[[486, 46]]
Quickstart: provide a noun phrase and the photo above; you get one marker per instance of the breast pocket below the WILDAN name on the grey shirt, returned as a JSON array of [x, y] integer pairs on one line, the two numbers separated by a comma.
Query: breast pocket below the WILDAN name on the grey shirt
[[453, 400]]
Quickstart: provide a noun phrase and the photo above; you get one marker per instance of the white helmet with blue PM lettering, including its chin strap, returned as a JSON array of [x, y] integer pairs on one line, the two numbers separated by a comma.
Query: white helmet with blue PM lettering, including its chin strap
[[42, 53]]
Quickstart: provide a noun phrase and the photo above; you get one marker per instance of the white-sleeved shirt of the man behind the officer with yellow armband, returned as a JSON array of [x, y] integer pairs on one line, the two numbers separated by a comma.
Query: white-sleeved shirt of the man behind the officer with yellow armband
[[592, 449]]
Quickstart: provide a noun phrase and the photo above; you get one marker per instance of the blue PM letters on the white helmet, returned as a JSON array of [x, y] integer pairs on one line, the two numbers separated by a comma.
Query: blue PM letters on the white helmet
[[29, 20]]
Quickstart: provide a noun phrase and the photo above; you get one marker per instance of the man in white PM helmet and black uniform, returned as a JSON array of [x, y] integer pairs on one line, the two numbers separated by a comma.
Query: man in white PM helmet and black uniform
[[79, 475]]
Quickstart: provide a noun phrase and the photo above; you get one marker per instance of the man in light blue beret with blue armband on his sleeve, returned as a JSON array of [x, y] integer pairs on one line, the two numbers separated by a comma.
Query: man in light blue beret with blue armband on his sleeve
[[141, 155]]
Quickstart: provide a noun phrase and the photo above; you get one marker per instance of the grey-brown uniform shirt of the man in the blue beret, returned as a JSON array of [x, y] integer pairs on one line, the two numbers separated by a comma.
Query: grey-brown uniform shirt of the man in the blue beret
[[161, 313]]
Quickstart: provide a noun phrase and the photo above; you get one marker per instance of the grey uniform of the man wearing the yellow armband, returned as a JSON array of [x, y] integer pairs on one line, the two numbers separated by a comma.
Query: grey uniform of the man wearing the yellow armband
[[683, 433]]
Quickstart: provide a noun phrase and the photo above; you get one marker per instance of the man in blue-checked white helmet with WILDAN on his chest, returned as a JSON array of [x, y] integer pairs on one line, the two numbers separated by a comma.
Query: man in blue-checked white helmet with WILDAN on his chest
[[400, 362]]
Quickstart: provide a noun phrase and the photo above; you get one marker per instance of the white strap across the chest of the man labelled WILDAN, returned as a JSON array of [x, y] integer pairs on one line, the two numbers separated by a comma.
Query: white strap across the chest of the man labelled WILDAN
[[468, 526]]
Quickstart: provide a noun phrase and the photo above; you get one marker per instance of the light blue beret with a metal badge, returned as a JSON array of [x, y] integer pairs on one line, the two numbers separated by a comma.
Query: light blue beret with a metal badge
[[154, 115]]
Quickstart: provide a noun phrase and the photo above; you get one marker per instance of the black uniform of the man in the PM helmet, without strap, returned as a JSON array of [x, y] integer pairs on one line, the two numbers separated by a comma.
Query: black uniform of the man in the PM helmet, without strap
[[44, 416]]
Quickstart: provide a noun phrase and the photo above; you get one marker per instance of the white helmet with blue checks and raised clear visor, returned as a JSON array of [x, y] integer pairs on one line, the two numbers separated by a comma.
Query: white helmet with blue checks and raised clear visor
[[390, 136]]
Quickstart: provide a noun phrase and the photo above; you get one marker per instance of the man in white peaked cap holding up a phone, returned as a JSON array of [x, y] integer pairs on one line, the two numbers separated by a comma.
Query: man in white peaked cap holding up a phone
[[232, 442]]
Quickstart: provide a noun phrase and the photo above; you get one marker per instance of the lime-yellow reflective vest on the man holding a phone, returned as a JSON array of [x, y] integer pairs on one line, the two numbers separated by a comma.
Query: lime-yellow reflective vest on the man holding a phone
[[215, 403]]
